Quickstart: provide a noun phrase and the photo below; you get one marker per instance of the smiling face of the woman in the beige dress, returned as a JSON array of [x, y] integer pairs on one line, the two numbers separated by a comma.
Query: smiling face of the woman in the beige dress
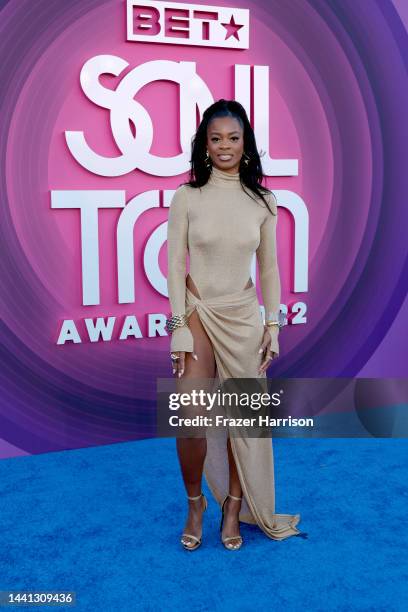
[[225, 143]]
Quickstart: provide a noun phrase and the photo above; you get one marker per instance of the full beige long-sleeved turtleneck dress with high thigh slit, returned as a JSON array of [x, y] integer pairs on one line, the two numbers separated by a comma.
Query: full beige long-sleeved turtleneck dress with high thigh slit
[[221, 226]]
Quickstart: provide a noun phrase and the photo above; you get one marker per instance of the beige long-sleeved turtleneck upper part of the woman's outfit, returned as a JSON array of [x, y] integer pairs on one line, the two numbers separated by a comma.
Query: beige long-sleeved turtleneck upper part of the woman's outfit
[[221, 226]]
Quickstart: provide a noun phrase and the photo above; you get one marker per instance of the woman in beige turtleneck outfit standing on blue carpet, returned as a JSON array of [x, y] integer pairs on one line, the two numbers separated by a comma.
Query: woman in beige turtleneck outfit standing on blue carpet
[[223, 215]]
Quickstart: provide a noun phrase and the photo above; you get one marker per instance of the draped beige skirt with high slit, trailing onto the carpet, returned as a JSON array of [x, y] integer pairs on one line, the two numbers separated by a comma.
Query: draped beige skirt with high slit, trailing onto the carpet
[[234, 326]]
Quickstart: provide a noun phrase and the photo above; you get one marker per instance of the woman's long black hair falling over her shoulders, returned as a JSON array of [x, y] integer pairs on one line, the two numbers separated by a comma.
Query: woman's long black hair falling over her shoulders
[[250, 174]]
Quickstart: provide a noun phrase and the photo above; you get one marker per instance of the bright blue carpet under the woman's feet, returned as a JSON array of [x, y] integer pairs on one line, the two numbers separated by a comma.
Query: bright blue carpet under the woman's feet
[[105, 522]]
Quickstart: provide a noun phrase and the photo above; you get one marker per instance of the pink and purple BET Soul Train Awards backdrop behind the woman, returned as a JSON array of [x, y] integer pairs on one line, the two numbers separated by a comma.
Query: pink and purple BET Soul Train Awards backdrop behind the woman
[[99, 102]]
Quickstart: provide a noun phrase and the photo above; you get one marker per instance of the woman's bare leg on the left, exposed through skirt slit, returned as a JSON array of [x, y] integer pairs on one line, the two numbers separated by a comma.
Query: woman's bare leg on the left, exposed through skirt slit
[[192, 451]]
